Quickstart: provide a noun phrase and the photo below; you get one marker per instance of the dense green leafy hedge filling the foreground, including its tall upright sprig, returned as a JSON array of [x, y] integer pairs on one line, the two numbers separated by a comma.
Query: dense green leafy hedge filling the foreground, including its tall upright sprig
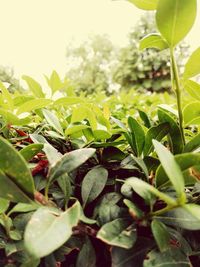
[[95, 181]]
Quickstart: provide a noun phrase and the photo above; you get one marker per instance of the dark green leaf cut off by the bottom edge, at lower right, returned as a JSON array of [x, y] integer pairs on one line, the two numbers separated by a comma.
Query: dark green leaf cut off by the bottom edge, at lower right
[[169, 258]]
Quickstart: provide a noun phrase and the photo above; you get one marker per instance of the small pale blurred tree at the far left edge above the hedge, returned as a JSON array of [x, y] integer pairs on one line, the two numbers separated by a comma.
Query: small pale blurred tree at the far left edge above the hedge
[[7, 76]]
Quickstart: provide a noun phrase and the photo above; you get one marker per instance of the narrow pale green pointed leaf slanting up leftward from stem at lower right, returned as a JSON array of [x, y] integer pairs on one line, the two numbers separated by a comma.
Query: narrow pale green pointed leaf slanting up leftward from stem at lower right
[[171, 168]]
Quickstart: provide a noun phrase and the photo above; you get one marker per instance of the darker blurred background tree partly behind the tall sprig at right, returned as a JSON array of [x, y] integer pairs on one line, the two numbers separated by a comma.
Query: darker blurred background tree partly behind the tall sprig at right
[[146, 70]]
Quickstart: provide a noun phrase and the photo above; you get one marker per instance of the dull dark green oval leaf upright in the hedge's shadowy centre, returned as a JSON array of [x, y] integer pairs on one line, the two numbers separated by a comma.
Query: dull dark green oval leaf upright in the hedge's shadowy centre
[[93, 184]]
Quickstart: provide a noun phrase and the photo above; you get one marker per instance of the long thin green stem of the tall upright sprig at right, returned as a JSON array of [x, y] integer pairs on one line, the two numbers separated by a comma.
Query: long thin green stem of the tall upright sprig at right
[[177, 88]]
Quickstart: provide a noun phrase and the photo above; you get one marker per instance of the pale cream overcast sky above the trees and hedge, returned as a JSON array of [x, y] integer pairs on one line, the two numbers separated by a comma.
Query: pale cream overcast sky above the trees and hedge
[[34, 33]]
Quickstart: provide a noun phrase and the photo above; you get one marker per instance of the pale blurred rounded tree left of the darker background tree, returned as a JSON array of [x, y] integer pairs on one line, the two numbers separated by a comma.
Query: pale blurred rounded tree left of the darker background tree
[[90, 64]]
